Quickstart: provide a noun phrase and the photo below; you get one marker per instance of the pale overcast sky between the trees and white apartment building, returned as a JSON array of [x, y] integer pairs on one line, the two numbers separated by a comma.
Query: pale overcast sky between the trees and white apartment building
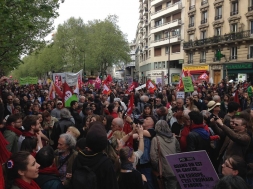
[[126, 10]]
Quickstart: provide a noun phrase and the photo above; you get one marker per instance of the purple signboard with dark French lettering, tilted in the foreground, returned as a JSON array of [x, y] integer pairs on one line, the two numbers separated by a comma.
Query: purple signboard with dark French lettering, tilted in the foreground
[[193, 170]]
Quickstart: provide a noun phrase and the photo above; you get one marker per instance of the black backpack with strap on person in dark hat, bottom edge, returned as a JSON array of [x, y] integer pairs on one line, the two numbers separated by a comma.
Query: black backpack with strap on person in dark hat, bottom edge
[[85, 178]]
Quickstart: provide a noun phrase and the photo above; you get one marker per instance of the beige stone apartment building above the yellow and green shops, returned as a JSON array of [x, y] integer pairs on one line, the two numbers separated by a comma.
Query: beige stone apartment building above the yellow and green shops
[[218, 39]]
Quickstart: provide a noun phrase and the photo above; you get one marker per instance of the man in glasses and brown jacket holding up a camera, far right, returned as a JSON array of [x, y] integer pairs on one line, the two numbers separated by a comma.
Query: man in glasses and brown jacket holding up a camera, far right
[[237, 139]]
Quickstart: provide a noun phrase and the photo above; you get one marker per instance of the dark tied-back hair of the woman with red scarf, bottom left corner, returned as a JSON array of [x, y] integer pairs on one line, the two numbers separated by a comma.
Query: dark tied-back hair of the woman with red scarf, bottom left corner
[[18, 161]]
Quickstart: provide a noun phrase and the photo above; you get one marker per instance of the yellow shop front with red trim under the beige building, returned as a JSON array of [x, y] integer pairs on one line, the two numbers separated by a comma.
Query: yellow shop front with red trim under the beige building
[[196, 70]]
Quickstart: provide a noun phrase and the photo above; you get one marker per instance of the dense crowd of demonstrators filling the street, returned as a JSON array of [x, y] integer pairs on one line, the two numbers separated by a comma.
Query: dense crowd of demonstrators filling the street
[[97, 143]]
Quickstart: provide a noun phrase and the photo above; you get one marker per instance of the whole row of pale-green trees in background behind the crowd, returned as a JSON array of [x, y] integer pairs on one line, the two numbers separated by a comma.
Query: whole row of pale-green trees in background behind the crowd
[[92, 47]]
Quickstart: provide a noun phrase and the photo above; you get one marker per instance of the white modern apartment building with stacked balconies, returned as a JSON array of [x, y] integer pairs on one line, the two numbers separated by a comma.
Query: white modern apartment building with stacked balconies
[[159, 40]]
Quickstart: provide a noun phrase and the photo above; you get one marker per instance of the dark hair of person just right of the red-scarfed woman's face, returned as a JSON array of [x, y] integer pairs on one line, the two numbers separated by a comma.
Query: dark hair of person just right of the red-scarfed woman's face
[[45, 157]]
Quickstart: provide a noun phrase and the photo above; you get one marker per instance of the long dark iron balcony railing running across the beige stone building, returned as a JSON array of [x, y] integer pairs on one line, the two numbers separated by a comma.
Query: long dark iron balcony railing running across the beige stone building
[[218, 39]]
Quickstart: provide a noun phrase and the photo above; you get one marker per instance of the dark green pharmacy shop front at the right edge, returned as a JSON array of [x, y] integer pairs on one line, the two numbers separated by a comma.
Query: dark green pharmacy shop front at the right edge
[[238, 72]]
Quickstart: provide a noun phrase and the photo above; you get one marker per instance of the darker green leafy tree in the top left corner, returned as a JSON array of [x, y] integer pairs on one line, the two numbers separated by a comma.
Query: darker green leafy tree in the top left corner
[[24, 25]]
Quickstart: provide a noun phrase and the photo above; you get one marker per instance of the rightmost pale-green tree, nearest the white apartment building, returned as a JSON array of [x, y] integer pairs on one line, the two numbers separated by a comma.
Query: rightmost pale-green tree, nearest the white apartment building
[[107, 45]]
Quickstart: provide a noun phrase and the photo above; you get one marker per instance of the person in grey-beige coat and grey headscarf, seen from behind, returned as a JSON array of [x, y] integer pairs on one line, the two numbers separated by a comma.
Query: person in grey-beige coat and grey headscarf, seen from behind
[[168, 144]]
